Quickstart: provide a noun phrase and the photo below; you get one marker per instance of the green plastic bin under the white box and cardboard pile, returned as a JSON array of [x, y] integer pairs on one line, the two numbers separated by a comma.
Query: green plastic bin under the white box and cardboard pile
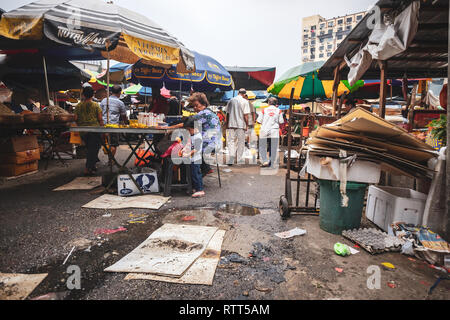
[[333, 217]]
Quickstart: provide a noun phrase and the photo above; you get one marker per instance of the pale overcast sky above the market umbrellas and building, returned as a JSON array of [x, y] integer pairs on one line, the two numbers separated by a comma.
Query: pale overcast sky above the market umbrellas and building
[[246, 33]]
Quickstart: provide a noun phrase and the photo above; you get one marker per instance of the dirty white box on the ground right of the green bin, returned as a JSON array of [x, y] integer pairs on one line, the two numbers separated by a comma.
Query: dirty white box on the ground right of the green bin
[[387, 205]]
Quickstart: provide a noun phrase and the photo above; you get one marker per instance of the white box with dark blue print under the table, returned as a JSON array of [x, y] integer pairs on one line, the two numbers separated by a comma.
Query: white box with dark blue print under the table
[[147, 181]]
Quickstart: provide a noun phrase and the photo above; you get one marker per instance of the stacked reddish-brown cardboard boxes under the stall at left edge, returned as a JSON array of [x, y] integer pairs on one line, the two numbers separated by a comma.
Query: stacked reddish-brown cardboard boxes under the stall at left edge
[[18, 155]]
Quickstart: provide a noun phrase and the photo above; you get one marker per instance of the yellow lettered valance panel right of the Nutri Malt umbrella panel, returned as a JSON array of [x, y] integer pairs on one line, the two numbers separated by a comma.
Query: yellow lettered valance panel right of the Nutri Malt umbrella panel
[[152, 51]]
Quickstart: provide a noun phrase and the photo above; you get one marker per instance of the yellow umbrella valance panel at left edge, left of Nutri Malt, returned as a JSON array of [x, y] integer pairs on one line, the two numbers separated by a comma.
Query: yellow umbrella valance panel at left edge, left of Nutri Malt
[[21, 28]]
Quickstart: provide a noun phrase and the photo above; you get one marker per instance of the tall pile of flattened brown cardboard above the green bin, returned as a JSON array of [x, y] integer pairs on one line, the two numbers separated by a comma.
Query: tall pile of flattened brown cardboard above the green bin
[[372, 138]]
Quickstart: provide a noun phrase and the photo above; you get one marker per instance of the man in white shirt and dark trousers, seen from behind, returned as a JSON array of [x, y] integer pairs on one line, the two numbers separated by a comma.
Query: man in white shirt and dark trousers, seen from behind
[[270, 119]]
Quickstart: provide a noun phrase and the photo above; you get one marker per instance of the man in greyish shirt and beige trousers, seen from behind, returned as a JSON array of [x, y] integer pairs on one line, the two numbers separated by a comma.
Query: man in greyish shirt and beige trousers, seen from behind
[[238, 111]]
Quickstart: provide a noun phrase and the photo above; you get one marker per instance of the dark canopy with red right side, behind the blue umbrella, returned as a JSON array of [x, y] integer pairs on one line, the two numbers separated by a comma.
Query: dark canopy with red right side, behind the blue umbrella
[[252, 78]]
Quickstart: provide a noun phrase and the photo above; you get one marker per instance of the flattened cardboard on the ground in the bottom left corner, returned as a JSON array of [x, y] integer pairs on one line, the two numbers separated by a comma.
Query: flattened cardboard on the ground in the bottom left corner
[[17, 286]]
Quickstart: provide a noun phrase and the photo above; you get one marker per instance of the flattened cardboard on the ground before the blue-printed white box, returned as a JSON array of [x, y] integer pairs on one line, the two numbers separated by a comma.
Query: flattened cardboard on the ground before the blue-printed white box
[[109, 201]]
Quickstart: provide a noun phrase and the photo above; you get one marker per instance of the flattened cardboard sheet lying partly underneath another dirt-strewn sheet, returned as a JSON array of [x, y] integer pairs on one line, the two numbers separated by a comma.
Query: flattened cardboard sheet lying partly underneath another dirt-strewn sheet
[[202, 271]]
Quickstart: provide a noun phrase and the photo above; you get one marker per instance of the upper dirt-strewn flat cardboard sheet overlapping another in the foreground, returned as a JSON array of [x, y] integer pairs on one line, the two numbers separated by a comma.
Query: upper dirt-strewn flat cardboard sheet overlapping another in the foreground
[[169, 251]]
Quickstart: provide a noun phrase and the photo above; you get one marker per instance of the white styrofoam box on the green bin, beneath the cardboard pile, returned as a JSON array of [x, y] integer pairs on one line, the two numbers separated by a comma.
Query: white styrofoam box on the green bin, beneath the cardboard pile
[[360, 171]]
